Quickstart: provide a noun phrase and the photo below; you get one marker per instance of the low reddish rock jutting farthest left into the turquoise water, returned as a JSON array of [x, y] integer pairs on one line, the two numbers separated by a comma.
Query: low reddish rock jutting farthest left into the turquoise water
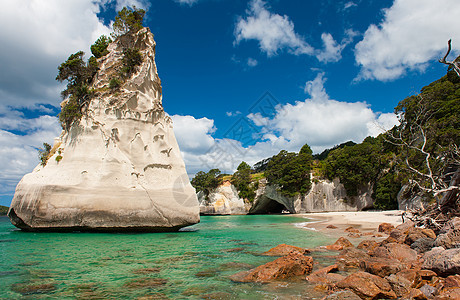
[[284, 267]]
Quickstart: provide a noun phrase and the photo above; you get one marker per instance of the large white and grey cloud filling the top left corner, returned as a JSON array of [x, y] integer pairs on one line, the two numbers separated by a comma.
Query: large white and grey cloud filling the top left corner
[[45, 34]]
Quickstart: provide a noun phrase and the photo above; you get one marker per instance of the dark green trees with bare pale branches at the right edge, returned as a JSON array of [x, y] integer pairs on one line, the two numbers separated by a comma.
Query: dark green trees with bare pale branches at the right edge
[[430, 120]]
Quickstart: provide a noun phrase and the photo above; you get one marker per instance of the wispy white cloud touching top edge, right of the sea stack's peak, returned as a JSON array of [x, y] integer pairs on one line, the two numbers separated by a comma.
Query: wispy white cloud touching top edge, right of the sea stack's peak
[[273, 32]]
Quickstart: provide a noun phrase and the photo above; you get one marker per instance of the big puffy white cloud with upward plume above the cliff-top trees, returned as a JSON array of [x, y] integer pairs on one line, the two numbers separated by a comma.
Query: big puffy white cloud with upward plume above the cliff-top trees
[[320, 121]]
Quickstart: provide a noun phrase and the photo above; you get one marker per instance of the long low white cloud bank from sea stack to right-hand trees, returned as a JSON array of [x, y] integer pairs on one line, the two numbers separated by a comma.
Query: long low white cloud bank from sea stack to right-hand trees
[[319, 121]]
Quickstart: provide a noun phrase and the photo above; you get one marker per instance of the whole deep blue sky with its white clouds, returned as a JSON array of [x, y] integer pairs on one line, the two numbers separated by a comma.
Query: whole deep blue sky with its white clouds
[[242, 79]]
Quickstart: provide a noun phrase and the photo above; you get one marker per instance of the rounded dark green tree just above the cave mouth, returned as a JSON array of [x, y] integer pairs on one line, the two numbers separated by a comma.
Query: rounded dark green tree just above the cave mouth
[[290, 172]]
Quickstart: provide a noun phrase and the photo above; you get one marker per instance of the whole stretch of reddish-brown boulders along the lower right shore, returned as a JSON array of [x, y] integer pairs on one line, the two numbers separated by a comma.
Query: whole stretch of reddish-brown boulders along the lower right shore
[[402, 262]]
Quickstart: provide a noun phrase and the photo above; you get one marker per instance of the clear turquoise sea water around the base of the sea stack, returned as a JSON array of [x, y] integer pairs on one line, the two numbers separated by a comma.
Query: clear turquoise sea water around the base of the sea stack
[[195, 264]]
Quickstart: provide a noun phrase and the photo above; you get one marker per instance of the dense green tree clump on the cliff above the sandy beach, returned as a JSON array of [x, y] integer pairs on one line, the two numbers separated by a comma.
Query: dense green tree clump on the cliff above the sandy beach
[[355, 165]]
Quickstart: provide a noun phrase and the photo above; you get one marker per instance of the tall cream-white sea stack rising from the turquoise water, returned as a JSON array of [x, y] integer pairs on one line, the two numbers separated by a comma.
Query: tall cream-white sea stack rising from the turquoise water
[[119, 167]]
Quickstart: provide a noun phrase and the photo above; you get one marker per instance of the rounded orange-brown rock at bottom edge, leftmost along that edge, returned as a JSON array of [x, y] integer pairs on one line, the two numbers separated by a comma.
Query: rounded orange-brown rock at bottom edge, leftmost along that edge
[[367, 286]]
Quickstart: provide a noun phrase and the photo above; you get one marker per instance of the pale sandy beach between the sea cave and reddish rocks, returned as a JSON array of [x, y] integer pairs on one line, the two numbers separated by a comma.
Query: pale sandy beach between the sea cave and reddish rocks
[[335, 224]]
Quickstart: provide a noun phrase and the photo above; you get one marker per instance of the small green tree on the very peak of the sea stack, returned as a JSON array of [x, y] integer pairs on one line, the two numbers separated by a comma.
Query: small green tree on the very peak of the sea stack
[[128, 20]]
